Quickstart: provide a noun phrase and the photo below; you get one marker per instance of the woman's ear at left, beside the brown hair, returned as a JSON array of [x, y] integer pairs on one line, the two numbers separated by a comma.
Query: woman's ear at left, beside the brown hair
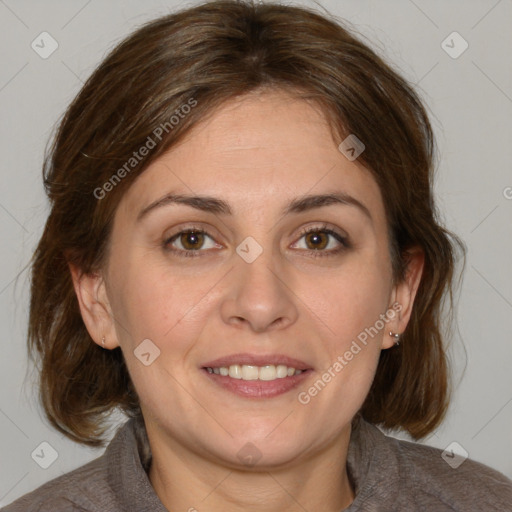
[[94, 306]]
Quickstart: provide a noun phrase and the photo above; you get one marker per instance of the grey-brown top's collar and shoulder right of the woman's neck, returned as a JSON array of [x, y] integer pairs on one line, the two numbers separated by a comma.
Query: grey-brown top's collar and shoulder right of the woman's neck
[[393, 474]]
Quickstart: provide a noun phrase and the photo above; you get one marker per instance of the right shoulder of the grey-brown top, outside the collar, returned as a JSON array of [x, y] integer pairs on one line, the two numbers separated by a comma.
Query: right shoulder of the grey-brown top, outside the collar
[[456, 483]]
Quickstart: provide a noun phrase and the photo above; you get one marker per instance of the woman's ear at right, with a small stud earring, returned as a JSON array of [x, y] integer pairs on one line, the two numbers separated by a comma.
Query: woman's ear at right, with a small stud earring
[[403, 295]]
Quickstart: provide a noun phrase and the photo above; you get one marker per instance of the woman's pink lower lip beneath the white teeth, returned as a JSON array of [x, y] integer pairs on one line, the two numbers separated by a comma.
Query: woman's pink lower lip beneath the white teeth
[[258, 388]]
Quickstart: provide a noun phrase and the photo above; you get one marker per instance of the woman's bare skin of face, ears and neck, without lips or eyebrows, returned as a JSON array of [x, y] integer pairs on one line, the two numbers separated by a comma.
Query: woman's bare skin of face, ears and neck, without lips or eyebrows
[[256, 153]]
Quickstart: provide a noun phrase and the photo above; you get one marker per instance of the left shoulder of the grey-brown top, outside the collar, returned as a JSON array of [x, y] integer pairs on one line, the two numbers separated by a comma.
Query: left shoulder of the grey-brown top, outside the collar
[[78, 490]]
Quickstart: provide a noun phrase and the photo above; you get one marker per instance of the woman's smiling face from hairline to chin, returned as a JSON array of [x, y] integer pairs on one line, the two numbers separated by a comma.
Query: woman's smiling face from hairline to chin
[[254, 290]]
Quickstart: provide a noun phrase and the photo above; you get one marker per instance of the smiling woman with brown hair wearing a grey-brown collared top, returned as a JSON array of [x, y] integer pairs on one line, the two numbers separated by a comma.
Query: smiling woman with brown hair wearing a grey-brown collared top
[[243, 255]]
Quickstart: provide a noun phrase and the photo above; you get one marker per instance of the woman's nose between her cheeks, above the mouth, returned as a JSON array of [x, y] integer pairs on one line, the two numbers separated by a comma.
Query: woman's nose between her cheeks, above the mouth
[[258, 296]]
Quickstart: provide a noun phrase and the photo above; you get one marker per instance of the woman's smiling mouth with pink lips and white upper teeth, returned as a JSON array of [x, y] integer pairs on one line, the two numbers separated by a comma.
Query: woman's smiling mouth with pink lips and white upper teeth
[[253, 376]]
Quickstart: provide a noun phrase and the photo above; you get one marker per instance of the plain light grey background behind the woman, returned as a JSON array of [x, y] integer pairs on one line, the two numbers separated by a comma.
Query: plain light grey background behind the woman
[[470, 102]]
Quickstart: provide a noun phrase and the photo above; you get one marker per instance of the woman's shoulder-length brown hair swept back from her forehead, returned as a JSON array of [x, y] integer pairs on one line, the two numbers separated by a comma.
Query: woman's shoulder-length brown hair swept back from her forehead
[[204, 56]]
